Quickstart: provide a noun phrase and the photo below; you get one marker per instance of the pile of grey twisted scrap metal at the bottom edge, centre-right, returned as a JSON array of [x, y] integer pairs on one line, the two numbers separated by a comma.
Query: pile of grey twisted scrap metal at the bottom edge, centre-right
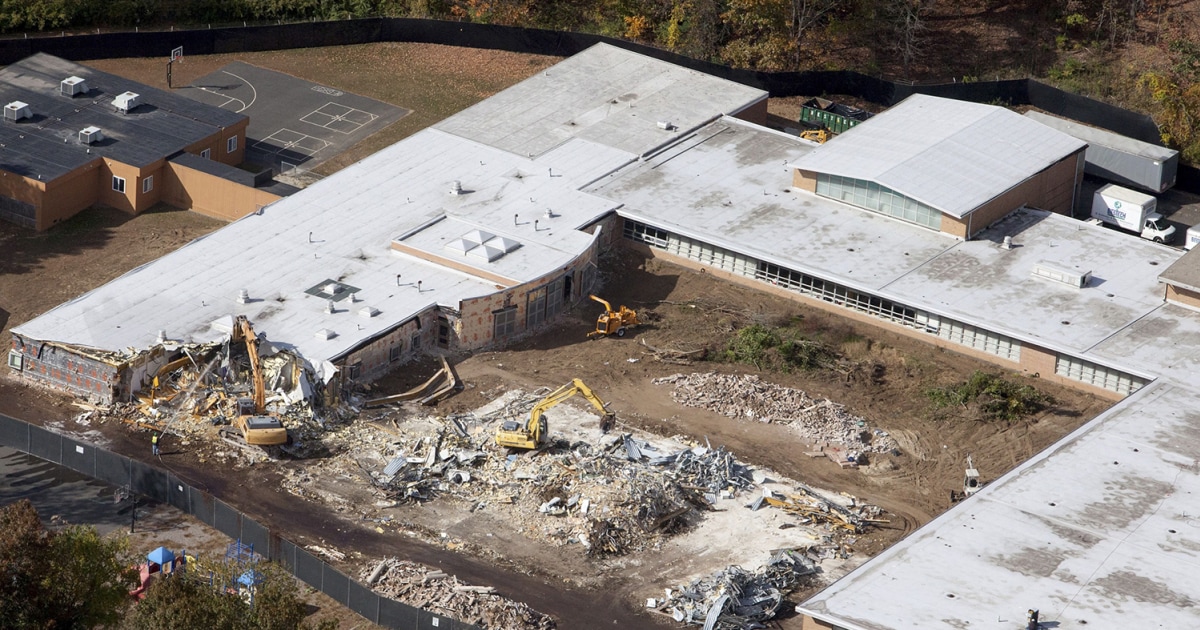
[[736, 599]]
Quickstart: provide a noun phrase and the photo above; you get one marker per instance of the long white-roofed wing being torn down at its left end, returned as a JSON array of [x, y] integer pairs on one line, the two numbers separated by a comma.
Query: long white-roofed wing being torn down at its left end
[[461, 237]]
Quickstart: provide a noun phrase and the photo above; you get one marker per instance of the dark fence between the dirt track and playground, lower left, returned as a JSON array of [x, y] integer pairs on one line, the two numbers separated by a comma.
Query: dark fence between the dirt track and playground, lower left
[[169, 489]]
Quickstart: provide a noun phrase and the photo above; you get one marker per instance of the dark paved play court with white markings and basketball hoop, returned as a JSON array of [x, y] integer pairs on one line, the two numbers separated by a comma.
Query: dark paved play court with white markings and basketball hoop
[[295, 124]]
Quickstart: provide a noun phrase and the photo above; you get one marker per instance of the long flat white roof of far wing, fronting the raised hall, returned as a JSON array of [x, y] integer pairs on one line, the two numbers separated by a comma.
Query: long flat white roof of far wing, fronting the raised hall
[[729, 185]]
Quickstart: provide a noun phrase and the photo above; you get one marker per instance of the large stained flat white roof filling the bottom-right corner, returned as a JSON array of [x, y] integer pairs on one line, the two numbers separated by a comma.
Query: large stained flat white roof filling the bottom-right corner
[[1097, 532]]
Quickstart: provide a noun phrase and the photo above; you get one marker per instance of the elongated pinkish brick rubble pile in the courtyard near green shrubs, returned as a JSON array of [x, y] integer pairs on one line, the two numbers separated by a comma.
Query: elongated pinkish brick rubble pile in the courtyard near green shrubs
[[818, 421]]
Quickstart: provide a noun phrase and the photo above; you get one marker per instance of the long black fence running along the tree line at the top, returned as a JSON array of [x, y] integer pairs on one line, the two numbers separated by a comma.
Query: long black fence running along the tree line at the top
[[562, 44]]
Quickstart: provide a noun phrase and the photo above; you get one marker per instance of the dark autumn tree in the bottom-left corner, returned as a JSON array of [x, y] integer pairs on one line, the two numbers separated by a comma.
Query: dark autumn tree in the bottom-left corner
[[67, 579]]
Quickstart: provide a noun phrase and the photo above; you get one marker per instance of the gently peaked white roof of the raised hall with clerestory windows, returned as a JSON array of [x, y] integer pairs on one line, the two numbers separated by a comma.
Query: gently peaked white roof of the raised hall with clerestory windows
[[951, 155]]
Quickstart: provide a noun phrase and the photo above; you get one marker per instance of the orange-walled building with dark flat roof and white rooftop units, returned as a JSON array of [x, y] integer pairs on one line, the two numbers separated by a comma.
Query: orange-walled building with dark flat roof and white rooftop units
[[74, 137]]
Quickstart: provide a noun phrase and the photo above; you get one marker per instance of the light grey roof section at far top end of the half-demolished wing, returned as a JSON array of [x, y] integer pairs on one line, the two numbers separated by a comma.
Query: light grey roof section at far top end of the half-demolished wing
[[605, 94]]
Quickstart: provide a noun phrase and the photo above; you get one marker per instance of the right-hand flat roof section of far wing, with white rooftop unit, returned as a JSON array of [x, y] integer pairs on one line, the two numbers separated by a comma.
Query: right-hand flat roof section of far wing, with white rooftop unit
[[981, 283]]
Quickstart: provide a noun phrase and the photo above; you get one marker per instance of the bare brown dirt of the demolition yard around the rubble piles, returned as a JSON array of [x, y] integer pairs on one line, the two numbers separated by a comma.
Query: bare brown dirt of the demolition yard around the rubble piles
[[686, 310]]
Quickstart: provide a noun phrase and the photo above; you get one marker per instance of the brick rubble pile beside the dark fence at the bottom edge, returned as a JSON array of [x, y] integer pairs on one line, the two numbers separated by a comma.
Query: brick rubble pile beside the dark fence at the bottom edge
[[445, 595]]
